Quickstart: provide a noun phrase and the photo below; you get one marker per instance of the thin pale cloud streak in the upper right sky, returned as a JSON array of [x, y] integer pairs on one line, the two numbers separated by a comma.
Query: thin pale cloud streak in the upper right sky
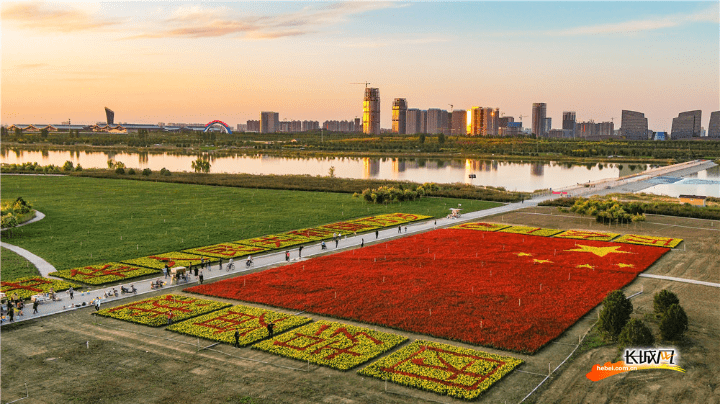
[[710, 14]]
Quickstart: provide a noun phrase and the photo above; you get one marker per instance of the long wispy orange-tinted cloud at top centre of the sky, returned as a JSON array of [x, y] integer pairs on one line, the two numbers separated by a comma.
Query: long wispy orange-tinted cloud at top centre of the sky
[[204, 22]]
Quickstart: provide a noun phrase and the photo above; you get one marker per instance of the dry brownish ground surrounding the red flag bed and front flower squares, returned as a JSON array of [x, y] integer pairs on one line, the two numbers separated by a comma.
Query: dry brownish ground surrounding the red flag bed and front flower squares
[[78, 357]]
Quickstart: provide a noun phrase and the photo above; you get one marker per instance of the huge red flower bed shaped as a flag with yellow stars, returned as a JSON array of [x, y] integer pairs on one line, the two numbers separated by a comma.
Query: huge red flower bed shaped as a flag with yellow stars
[[510, 291]]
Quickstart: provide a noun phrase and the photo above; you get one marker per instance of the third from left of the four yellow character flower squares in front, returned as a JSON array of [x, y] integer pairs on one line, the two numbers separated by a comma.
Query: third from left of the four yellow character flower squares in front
[[336, 345]]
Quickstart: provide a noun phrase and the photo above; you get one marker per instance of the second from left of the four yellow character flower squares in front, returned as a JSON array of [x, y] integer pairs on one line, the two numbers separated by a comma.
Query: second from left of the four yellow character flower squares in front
[[251, 322]]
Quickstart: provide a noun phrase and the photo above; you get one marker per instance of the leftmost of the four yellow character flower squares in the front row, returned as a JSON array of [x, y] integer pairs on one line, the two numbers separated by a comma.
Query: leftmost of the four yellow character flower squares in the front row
[[154, 311]]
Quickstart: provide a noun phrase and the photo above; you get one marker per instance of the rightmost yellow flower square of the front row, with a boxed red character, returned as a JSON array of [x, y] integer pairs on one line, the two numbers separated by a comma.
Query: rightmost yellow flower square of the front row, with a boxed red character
[[441, 368]]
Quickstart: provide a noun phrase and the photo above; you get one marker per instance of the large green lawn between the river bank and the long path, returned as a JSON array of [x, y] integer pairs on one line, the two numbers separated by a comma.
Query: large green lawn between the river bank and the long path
[[91, 221]]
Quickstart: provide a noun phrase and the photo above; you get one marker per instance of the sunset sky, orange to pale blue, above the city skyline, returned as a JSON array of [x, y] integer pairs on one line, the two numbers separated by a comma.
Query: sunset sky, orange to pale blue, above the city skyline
[[195, 62]]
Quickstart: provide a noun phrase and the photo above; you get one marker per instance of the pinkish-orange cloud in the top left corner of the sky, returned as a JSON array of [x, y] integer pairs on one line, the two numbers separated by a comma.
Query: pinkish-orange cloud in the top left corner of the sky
[[43, 17]]
